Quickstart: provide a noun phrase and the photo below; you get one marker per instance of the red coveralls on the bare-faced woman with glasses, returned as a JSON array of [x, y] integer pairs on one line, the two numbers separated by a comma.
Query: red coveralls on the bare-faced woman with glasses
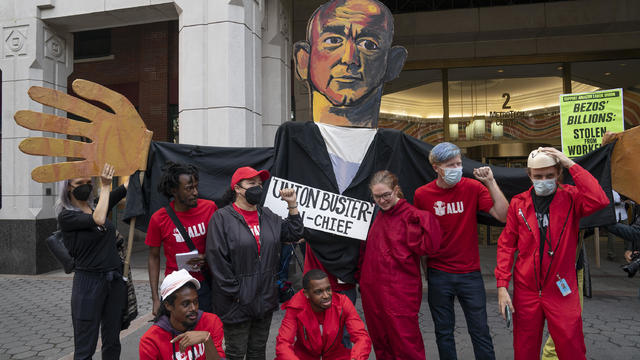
[[390, 281]]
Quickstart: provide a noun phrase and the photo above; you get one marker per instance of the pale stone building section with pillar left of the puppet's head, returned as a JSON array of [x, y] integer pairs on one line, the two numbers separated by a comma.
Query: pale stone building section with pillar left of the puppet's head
[[230, 82]]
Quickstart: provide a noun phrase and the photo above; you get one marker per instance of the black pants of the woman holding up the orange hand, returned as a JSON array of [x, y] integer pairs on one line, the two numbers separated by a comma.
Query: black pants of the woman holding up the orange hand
[[97, 299]]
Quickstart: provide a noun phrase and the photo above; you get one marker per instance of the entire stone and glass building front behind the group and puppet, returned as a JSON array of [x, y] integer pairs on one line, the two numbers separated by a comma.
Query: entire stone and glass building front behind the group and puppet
[[218, 73]]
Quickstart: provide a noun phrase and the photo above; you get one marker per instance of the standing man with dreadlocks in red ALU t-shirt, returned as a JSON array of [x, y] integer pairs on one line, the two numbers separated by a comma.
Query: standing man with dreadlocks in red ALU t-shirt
[[180, 183]]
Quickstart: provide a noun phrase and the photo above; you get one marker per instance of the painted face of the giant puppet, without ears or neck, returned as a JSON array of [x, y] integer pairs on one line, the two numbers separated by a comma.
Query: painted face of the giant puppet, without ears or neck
[[350, 41]]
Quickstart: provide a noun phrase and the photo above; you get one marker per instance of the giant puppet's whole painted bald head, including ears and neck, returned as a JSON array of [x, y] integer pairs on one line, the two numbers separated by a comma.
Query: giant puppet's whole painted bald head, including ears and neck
[[347, 58]]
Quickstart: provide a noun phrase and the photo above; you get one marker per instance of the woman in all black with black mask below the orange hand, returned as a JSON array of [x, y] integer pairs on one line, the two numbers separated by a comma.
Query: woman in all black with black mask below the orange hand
[[99, 292]]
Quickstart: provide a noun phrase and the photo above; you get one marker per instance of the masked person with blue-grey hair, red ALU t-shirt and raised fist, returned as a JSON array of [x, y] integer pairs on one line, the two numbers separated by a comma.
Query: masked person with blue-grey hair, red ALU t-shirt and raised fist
[[455, 270]]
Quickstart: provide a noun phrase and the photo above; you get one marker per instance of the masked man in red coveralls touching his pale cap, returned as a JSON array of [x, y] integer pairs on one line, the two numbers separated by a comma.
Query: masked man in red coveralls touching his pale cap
[[542, 226]]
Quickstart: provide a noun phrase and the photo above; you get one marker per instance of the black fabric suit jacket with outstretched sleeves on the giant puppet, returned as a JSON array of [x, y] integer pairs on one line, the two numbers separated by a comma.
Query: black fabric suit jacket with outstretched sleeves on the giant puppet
[[300, 155]]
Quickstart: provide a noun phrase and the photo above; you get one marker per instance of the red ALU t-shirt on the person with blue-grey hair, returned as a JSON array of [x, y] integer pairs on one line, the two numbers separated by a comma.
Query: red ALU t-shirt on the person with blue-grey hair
[[455, 208]]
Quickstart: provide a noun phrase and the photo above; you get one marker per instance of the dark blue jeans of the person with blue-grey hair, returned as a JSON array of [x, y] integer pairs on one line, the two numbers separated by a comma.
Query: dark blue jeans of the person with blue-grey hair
[[469, 288]]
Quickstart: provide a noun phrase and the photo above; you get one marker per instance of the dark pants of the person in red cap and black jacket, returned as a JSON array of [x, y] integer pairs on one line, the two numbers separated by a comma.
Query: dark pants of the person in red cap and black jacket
[[247, 338]]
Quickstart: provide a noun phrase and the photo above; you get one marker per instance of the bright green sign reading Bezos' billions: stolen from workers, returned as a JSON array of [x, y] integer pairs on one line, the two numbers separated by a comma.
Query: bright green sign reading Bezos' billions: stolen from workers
[[585, 117]]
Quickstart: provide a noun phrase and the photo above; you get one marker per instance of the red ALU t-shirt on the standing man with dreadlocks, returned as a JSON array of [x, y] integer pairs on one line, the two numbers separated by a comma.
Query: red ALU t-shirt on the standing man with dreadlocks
[[162, 231]]
